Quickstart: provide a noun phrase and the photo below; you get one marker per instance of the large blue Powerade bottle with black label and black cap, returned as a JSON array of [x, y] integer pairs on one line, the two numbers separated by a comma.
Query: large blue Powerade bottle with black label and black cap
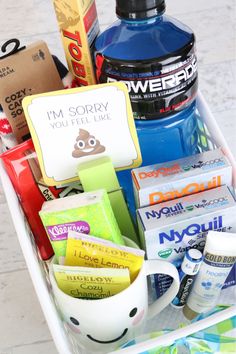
[[154, 55]]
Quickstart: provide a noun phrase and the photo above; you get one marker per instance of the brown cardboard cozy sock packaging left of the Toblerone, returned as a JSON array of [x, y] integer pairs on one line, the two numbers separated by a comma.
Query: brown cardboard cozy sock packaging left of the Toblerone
[[28, 72]]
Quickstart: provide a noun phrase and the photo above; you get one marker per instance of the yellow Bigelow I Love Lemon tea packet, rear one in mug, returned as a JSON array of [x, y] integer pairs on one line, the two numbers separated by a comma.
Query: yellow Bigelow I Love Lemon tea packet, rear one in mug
[[89, 251]]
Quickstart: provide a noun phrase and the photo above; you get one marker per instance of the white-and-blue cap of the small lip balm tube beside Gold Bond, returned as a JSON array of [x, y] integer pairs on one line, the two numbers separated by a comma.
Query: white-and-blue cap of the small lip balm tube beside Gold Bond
[[192, 262]]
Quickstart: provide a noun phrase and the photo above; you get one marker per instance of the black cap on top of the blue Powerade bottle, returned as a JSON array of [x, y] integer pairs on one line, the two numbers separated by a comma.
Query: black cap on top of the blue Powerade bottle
[[139, 9]]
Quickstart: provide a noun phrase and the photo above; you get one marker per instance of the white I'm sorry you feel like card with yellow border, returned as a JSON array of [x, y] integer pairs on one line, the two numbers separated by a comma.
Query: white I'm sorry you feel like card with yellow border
[[69, 127]]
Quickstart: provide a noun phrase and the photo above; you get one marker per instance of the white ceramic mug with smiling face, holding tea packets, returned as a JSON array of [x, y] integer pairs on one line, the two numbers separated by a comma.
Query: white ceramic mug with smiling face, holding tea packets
[[105, 324]]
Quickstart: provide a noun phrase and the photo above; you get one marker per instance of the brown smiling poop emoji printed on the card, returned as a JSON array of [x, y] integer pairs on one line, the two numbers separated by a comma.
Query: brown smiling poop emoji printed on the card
[[86, 144]]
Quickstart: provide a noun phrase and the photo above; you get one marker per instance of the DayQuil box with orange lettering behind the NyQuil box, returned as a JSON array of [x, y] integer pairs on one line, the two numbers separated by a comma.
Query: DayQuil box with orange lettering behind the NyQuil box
[[161, 182]]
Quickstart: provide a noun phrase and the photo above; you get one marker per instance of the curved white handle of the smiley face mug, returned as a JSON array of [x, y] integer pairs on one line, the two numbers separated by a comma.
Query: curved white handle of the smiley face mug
[[154, 266]]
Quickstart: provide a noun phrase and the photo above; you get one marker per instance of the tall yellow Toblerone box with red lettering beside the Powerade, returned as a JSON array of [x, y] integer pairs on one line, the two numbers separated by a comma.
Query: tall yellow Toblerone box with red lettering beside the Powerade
[[78, 23]]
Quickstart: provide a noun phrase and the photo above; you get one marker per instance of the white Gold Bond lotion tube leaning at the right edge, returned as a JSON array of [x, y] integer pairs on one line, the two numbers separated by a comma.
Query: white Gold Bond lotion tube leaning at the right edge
[[219, 258]]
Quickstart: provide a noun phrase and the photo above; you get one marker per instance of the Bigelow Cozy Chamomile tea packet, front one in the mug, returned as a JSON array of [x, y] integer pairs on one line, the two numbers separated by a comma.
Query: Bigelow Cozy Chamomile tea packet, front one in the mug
[[91, 283]]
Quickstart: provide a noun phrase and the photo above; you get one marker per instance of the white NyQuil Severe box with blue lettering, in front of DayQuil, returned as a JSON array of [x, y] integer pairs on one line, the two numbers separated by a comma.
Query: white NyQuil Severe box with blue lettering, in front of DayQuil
[[168, 229]]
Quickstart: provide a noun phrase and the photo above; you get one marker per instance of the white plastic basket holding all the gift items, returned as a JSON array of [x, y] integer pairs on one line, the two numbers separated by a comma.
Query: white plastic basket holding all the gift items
[[169, 318]]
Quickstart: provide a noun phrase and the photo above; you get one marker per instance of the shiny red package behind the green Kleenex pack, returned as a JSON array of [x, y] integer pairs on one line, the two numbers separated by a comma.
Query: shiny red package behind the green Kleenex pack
[[22, 166]]
